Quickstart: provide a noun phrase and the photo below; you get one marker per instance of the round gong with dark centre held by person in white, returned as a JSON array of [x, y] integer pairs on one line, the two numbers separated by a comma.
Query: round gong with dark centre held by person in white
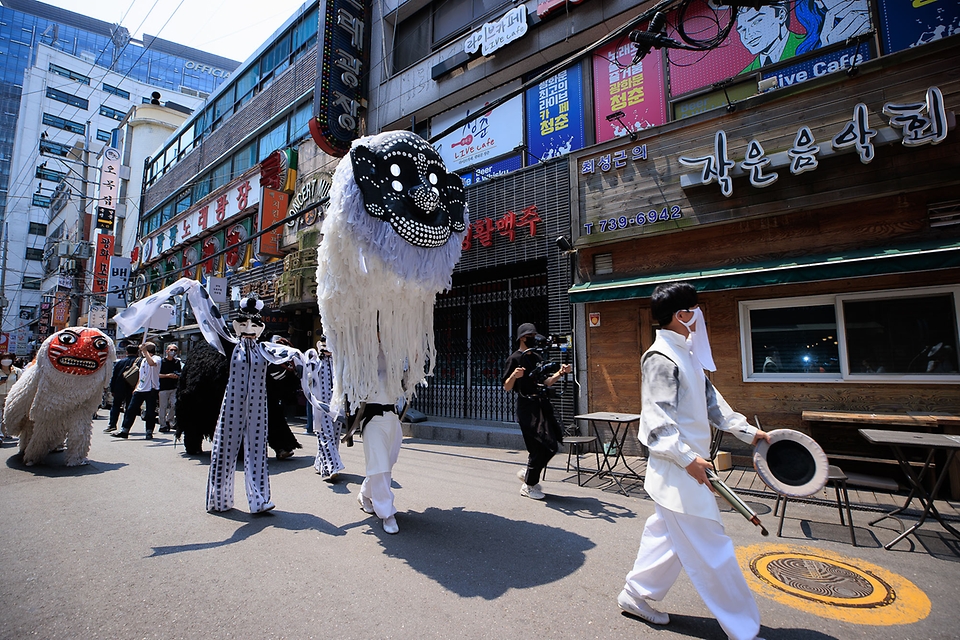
[[792, 463]]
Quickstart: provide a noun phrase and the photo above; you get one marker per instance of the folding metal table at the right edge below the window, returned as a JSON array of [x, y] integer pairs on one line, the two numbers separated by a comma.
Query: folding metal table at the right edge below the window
[[932, 442]]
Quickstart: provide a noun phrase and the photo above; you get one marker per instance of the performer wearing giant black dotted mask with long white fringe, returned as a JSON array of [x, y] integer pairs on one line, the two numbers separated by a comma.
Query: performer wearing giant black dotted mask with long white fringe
[[391, 236]]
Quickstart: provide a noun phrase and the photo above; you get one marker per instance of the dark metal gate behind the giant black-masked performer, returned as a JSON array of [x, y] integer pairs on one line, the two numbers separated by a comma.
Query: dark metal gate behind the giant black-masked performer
[[474, 324]]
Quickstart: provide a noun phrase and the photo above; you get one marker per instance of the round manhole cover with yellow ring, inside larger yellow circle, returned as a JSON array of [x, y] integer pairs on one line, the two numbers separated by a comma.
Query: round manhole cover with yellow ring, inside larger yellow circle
[[823, 580]]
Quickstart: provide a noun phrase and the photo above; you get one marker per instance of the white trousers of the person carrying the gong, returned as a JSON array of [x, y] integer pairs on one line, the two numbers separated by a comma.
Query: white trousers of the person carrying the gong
[[673, 540]]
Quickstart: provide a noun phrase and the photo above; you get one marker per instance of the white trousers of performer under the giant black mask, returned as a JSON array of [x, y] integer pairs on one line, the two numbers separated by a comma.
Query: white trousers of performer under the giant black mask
[[381, 448]]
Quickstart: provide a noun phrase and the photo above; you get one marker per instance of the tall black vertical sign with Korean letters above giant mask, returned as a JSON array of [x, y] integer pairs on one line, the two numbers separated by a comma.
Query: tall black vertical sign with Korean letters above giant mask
[[342, 66]]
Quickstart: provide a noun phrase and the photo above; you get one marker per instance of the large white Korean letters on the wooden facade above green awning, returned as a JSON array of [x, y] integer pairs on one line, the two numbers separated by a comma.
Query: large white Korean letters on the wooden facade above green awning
[[919, 123]]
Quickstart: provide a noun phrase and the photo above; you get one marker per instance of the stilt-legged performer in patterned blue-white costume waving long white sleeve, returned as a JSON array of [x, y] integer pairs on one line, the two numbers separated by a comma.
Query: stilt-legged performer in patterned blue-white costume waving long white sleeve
[[243, 412]]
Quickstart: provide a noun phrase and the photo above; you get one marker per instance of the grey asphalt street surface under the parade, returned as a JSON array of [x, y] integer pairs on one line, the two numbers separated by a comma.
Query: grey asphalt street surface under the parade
[[123, 548]]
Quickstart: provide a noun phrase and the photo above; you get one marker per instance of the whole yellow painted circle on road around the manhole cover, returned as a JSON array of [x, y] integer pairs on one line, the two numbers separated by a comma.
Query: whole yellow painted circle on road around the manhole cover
[[832, 586]]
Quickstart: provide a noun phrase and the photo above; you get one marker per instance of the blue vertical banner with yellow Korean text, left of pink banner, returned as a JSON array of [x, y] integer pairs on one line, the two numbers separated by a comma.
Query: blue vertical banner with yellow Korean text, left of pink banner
[[555, 124]]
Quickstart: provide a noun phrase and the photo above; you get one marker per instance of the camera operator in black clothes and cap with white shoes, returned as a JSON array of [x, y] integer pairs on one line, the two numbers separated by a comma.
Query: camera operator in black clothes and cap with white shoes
[[527, 374]]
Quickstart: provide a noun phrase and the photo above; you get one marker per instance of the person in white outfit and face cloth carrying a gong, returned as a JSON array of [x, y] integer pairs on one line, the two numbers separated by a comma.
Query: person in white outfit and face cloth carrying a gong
[[679, 404]]
